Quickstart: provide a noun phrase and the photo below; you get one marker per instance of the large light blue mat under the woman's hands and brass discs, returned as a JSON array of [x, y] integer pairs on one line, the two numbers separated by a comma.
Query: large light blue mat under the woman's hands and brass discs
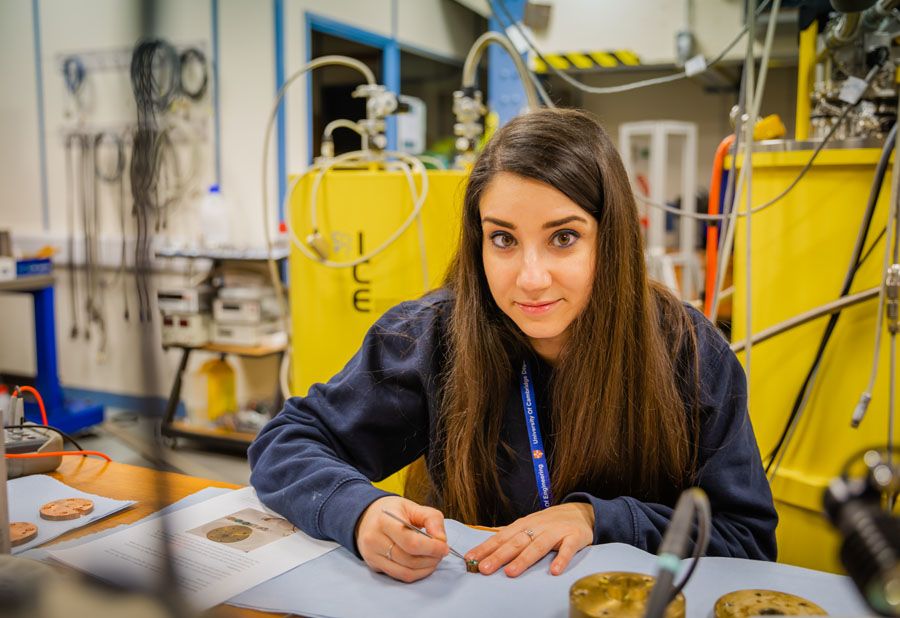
[[339, 585]]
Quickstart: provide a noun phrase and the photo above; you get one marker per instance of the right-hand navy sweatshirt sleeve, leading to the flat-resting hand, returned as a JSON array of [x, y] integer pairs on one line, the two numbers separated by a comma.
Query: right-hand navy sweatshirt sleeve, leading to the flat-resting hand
[[730, 472]]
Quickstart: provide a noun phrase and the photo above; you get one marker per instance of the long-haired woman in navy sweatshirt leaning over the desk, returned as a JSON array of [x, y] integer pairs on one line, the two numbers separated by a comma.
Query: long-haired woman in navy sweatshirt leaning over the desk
[[547, 307]]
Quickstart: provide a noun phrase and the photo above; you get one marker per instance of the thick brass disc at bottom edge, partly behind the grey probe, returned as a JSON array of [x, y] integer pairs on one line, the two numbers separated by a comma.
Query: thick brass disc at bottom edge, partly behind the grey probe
[[617, 594]]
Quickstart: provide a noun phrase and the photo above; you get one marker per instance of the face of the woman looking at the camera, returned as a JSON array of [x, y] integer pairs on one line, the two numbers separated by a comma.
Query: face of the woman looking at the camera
[[539, 252]]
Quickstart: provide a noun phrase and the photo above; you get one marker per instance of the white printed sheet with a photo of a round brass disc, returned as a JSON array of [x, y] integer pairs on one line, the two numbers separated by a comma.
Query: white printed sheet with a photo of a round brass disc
[[221, 547]]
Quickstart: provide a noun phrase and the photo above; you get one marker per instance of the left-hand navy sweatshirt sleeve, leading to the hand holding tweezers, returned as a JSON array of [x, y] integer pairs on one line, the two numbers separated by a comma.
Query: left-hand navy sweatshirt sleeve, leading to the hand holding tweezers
[[315, 461]]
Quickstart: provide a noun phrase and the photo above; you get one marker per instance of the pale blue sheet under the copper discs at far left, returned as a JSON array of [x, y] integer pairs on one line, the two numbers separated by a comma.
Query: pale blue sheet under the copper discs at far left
[[28, 493]]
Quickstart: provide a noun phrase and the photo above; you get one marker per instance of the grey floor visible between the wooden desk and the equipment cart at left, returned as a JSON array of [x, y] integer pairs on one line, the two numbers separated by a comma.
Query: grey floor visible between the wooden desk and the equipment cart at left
[[128, 438]]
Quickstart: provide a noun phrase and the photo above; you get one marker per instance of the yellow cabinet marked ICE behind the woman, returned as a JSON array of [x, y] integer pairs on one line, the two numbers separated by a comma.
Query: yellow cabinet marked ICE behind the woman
[[331, 309]]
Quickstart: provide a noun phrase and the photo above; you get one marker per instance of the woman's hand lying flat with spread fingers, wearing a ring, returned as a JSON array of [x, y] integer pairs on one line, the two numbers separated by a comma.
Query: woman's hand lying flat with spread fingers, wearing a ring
[[565, 528]]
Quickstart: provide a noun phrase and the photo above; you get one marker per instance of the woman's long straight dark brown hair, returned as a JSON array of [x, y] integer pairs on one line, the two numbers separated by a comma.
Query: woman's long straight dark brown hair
[[624, 388]]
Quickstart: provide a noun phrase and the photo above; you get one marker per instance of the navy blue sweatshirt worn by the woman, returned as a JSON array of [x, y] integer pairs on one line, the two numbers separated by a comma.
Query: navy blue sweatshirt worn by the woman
[[314, 462]]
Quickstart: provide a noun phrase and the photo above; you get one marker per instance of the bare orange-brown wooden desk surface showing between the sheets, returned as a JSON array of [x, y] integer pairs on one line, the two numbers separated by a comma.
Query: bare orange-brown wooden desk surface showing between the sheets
[[125, 482]]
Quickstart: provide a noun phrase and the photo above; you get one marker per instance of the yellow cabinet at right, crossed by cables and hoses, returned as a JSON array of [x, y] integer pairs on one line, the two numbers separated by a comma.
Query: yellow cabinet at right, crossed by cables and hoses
[[801, 249]]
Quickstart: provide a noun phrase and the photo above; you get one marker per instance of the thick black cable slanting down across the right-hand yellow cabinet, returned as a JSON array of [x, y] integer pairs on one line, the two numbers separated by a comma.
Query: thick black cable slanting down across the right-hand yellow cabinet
[[855, 263]]
